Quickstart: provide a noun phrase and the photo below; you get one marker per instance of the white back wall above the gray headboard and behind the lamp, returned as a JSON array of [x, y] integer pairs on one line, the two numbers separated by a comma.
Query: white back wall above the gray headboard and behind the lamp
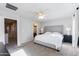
[[66, 22]]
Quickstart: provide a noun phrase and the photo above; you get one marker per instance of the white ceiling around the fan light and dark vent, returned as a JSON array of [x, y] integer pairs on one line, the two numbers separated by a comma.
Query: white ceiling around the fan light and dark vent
[[51, 10]]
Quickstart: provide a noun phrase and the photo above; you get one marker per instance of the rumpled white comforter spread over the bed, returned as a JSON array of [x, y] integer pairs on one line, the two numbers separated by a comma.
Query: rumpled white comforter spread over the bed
[[51, 38]]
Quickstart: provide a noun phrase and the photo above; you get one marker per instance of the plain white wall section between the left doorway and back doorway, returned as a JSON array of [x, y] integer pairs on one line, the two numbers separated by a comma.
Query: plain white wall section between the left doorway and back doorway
[[26, 31]]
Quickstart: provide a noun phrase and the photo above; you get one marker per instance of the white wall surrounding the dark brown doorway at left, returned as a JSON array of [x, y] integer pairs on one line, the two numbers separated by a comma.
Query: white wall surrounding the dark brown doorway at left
[[24, 32]]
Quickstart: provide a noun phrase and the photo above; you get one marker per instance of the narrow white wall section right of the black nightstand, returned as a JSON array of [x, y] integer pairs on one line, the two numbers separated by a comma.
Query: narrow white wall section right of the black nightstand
[[75, 30]]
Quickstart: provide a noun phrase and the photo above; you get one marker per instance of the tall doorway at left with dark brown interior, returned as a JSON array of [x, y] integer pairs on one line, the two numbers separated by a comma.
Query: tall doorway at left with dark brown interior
[[10, 31]]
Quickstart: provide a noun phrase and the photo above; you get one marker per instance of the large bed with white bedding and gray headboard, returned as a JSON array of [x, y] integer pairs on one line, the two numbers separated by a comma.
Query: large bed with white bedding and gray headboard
[[52, 39]]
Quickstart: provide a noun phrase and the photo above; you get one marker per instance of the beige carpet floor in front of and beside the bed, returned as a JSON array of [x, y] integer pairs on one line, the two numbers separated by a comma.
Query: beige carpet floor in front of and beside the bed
[[32, 49]]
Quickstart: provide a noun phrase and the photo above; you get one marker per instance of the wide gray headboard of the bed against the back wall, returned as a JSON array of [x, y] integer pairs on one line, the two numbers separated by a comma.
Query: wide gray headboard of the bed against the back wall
[[54, 28]]
